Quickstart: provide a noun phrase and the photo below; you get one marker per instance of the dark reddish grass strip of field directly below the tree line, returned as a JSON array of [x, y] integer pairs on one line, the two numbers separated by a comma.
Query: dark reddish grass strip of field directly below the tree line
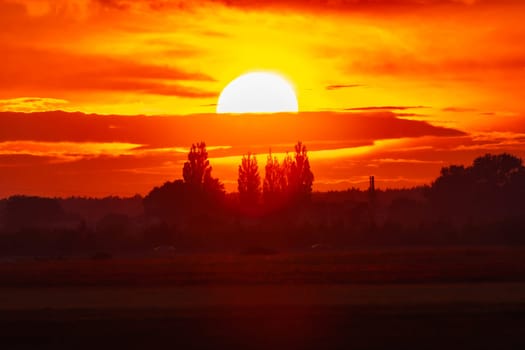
[[416, 265]]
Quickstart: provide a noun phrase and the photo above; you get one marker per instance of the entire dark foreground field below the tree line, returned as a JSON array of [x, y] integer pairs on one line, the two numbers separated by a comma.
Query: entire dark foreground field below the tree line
[[389, 299]]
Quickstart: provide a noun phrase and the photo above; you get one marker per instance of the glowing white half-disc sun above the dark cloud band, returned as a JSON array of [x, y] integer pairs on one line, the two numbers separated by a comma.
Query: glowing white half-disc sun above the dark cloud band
[[258, 92]]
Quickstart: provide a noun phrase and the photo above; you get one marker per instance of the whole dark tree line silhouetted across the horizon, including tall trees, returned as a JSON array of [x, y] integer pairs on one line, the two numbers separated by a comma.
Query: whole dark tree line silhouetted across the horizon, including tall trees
[[480, 203]]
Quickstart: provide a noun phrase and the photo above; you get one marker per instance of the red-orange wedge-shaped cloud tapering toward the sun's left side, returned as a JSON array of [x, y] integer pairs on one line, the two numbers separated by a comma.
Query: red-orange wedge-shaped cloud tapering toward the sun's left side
[[33, 72]]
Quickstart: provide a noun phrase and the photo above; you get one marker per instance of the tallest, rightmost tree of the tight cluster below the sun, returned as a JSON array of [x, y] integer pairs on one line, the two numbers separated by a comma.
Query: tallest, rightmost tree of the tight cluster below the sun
[[300, 175]]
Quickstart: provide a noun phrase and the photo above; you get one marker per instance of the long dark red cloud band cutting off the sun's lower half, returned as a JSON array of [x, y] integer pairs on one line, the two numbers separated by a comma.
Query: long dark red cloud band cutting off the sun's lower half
[[232, 130]]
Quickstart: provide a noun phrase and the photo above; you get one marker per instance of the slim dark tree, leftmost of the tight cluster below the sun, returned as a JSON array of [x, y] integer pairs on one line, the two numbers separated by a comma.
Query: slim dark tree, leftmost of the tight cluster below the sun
[[249, 181]]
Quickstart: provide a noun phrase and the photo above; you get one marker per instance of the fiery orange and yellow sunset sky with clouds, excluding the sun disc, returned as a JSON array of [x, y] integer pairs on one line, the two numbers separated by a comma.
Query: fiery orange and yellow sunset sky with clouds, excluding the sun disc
[[105, 97]]
